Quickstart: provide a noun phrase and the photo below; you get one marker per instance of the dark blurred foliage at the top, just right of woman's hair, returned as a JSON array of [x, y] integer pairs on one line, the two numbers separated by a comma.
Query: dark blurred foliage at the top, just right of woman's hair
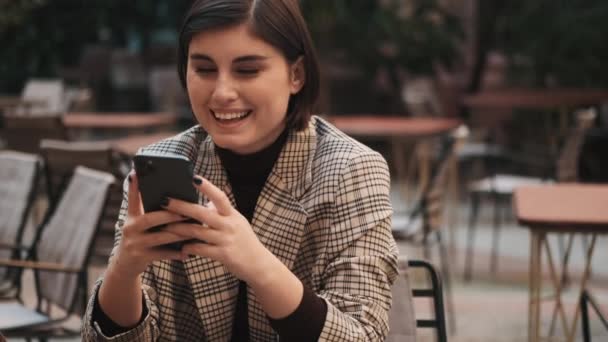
[[372, 34]]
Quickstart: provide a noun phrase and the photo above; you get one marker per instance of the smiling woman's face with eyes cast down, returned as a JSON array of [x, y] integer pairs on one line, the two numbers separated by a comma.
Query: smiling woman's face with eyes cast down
[[239, 87]]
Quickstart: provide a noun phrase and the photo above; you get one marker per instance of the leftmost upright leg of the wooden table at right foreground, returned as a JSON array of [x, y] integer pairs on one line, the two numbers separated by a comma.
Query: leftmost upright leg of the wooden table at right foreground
[[536, 239]]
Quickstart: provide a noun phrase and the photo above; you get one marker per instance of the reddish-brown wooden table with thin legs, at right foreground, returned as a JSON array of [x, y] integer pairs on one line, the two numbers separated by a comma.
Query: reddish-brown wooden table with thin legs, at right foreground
[[559, 209]]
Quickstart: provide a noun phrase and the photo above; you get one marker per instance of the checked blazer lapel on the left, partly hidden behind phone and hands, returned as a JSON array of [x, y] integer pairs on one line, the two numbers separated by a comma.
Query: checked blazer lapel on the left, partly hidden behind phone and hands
[[214, 288]]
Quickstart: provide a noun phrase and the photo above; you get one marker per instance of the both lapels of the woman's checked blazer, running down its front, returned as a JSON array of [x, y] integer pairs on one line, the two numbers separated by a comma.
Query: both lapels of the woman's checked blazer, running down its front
[[278, 222]]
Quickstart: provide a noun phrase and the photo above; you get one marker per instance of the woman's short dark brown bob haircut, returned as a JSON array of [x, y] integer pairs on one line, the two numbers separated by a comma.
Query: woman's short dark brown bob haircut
[[277, 22]]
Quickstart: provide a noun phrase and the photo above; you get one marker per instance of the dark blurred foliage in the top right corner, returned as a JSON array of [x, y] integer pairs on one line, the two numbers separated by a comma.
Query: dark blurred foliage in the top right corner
[[561, 41]]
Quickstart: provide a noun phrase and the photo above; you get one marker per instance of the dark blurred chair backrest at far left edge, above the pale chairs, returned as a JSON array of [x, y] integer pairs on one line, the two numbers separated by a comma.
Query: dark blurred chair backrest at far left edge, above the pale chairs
[[24, 133]]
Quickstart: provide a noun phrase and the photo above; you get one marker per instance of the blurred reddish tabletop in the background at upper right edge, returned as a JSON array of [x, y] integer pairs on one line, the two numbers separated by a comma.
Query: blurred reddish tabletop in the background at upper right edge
[[536, 98]]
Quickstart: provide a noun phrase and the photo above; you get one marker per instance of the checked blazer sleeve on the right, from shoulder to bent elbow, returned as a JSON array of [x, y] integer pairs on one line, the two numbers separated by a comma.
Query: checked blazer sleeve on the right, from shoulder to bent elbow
[[356, 282]]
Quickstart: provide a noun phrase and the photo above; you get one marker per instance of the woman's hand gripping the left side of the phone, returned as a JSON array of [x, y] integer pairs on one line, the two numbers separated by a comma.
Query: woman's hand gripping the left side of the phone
[[138, 246]]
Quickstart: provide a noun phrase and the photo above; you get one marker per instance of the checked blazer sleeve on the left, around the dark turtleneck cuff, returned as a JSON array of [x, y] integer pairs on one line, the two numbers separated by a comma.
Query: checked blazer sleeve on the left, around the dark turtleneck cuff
[[147, 330]]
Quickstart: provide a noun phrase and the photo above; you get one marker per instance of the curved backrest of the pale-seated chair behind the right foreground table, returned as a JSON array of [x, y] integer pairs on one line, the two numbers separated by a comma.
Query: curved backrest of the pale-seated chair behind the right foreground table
[[567, 163]]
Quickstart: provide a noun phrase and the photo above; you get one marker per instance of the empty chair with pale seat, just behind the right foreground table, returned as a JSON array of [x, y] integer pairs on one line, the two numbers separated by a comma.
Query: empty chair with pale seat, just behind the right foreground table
[[500, 187]]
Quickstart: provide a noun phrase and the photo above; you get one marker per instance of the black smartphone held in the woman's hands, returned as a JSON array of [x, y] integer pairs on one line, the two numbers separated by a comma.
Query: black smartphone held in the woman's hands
[[161, 175]]
